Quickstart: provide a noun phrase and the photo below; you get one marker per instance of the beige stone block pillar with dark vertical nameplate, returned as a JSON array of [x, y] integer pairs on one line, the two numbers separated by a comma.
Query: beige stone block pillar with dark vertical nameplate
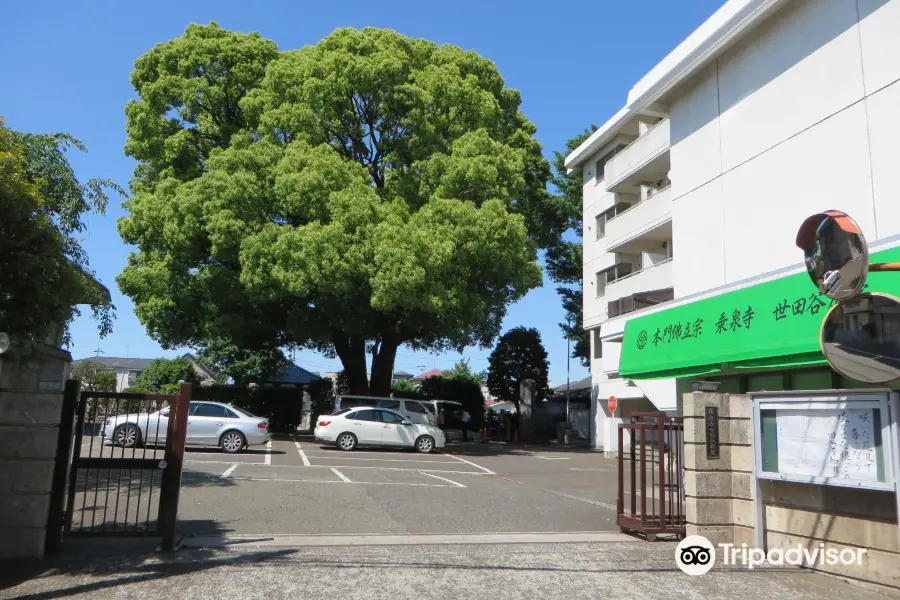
[[719, 491]]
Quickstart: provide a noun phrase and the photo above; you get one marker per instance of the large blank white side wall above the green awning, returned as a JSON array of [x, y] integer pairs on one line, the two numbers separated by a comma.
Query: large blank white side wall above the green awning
[[798, 118]]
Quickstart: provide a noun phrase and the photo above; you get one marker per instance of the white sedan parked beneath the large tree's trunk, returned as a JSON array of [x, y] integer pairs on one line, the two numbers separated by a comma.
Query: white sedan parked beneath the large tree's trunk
[[367, 426]]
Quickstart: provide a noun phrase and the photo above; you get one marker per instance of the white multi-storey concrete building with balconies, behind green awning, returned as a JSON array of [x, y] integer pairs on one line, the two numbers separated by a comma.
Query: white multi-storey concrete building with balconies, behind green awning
[[770, 111]]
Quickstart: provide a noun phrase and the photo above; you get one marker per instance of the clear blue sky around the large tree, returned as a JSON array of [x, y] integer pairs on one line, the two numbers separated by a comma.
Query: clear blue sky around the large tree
[[66, 68]]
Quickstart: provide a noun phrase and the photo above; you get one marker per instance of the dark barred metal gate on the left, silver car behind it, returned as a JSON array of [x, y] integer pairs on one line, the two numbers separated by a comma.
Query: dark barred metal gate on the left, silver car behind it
[[127, 457]]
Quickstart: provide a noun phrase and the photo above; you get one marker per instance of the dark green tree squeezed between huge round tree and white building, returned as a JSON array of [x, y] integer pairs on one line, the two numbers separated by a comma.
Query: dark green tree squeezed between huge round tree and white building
[[564, 257]]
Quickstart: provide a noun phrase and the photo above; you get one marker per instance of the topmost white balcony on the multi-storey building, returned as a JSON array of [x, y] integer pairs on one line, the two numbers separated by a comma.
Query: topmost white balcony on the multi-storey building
[[645, 159]]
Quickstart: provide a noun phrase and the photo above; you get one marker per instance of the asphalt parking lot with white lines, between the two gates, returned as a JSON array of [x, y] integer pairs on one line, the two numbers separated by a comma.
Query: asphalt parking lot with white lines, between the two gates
[[296, 486]]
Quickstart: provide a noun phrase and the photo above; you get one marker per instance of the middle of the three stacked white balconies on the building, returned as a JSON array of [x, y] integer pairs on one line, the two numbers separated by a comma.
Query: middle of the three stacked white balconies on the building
[[643, 226]]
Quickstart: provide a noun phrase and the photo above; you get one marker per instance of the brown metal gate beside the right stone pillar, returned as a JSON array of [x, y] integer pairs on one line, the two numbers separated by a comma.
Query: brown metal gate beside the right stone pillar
[[653, 503]]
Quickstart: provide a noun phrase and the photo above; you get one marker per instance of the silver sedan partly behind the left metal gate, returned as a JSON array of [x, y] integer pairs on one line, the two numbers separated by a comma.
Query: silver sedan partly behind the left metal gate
[[209, 424]]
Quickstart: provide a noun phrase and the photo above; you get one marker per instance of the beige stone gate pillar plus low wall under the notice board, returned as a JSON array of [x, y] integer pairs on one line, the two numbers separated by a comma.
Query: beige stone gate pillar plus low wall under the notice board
[[719, 499]]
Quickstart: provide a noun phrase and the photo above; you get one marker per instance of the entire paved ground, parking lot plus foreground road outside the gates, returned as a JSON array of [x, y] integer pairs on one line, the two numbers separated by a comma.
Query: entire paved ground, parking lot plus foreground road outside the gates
[[296, 519]]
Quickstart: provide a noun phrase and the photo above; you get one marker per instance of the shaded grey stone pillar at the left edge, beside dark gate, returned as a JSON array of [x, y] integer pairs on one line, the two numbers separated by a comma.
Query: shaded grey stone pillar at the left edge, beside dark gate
[[30, 409]]
